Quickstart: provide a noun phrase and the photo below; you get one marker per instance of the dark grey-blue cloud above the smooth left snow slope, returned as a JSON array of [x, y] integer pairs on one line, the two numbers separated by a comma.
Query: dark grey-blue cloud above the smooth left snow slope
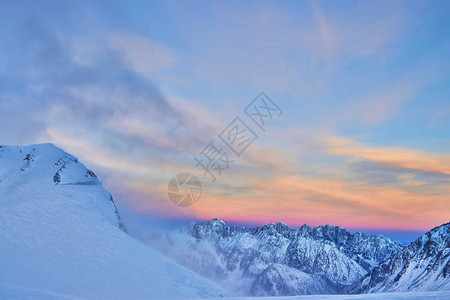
[[104, 89]]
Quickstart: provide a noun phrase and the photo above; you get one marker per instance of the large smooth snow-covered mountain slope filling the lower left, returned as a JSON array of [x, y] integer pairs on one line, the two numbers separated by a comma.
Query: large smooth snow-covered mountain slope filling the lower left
[[61, 237]]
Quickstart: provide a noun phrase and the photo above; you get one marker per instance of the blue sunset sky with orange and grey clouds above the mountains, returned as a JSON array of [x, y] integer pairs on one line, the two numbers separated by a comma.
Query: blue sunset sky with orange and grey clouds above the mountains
[[137, 91]]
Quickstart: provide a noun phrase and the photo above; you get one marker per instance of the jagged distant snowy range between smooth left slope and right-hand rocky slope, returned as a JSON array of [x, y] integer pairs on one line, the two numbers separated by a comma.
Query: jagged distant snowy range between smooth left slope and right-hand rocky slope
[[275, 260]]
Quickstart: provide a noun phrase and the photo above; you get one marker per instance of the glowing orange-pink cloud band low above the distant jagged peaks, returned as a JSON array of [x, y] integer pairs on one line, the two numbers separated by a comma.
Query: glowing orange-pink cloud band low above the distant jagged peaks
[[301, 200]]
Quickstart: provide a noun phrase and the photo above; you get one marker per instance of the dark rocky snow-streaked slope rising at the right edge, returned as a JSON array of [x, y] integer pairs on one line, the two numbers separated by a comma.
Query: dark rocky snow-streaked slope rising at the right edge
[[422, 266]]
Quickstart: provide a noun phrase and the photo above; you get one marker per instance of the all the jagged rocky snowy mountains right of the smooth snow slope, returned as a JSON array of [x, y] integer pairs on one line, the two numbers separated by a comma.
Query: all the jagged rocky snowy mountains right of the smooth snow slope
[[276, 260]]
